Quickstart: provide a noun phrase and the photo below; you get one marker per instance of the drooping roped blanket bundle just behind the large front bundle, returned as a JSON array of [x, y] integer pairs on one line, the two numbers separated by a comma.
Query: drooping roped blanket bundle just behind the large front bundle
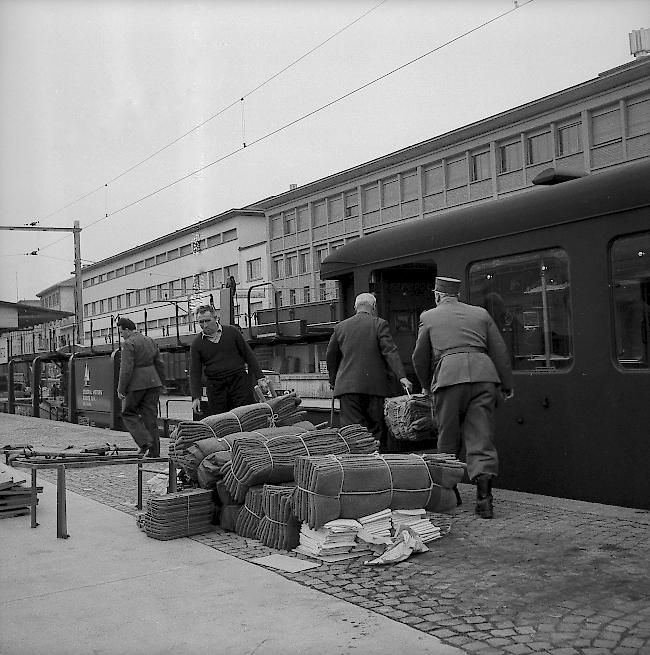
[[257, 460]]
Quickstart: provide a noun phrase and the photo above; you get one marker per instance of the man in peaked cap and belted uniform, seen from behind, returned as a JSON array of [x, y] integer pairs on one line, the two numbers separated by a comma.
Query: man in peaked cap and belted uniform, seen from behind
[[461, 358]]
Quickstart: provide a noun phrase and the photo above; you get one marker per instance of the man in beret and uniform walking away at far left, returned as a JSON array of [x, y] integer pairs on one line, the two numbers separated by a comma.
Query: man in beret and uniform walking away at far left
[[140, 382]]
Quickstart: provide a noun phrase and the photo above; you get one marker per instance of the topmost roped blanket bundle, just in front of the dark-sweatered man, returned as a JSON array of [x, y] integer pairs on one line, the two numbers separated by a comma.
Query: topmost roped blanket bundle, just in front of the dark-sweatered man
[[278, 411]]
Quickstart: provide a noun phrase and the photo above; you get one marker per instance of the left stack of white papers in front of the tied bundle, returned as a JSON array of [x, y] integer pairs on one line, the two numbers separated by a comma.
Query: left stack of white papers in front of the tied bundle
[[334, 542]]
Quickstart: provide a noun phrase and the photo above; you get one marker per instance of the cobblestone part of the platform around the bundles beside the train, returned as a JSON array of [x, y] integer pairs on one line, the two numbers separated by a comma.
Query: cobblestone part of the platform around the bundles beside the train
[[545, 576]]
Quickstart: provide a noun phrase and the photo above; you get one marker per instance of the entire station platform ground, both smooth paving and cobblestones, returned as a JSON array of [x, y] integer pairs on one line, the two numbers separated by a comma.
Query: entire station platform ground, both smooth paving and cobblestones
[[547, 575]]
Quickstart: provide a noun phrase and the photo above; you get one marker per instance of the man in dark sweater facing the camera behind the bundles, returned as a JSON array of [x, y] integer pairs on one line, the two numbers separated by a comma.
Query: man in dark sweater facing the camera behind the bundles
[[221, 353]]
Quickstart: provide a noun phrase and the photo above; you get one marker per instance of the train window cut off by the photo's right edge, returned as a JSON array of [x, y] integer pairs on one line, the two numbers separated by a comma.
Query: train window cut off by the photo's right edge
[[630, 265]]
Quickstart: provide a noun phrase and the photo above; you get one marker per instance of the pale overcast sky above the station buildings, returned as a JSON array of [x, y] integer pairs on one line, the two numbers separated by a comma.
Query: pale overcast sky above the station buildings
[[128, 117]]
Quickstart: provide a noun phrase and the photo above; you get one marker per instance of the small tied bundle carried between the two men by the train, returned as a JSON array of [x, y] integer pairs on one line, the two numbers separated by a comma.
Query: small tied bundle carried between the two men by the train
[[411, 418]]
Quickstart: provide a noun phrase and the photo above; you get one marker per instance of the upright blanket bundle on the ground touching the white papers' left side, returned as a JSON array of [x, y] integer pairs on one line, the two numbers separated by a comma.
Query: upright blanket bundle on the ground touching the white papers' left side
[[278, 527]]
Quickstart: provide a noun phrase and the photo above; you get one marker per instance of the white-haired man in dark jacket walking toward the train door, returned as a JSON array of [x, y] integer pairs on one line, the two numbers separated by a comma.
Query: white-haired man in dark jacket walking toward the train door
[[359, 355]]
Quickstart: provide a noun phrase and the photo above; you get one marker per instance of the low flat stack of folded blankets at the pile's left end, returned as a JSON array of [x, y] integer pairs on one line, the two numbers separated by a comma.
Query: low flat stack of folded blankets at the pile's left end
[[179, 514]]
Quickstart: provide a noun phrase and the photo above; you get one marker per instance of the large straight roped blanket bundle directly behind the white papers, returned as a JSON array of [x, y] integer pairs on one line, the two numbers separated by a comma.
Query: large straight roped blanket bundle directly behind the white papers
[[351, 486]]
